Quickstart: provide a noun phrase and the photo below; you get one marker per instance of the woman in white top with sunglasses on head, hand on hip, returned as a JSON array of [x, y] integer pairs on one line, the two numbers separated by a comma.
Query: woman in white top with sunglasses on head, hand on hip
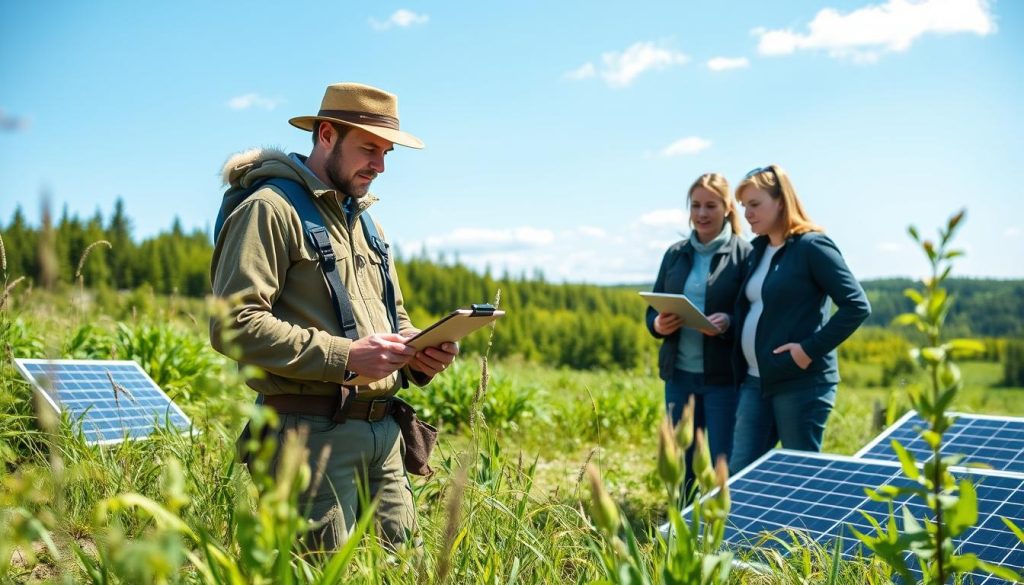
[[788, 341]]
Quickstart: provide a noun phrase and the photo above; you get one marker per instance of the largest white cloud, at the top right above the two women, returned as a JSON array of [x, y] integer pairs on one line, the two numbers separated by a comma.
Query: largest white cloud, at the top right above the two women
[[866, 34]]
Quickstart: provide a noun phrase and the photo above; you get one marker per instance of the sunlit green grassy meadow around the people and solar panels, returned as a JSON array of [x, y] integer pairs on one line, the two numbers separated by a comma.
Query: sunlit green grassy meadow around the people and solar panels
[[510, 502]]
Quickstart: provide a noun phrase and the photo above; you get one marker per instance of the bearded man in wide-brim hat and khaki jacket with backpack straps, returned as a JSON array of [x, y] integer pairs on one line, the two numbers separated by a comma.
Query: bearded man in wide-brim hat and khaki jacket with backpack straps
[[330, 361]]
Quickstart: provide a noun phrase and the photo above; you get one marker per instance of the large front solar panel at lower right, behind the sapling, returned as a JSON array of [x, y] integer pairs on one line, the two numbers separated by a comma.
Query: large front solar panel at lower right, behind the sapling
[[822, 495]]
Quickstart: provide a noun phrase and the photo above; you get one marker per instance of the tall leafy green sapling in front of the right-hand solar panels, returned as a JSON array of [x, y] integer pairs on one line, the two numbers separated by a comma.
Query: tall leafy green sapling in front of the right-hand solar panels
[[953, 505]]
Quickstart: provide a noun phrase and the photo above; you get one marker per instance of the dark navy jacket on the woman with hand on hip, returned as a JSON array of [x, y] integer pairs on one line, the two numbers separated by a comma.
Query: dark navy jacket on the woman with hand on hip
[[806, 276]]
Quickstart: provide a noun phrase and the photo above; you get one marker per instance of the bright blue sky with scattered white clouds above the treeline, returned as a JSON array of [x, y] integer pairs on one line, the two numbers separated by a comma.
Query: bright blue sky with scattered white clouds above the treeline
[[561, 136]]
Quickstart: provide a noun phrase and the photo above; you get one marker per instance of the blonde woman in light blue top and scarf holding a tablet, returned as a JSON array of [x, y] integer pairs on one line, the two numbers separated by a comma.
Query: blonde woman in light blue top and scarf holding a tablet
[[708, 269]]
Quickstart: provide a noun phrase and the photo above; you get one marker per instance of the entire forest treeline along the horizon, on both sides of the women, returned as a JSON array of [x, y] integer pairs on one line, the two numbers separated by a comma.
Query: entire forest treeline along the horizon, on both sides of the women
[[578, 326]]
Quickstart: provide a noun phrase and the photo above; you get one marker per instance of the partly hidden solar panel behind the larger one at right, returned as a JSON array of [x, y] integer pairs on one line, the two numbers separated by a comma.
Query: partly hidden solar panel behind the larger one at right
[[996, 441]]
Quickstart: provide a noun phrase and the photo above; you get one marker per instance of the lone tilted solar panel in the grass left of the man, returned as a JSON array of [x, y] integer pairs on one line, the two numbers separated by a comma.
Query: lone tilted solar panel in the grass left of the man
[[110, 401]]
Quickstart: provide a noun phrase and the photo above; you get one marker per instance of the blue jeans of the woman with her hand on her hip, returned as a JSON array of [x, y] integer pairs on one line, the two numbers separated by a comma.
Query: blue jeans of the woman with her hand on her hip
[[797, 419]]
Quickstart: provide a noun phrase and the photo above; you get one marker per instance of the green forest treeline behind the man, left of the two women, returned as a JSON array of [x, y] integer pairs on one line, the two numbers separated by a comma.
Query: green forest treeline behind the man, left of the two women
[[577, 326]]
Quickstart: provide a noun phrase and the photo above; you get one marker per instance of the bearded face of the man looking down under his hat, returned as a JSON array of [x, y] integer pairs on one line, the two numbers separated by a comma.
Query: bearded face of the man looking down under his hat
[[356, 161]]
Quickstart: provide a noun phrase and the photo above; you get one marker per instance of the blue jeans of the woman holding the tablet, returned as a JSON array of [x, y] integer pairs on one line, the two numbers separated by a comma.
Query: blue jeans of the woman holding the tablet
[[714, 411]]
